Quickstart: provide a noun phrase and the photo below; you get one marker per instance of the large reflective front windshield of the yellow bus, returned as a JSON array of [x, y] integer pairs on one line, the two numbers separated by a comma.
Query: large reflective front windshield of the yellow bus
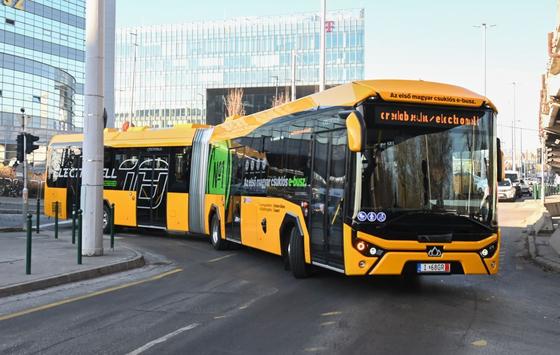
[[430, 170]]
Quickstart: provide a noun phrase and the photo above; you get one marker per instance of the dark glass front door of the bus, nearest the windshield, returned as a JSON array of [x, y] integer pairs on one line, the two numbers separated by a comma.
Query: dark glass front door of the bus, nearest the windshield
[[327, 186]]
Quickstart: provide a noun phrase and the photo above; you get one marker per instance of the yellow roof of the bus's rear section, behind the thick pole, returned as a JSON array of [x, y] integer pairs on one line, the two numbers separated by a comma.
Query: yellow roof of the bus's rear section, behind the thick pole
[[181, 135]]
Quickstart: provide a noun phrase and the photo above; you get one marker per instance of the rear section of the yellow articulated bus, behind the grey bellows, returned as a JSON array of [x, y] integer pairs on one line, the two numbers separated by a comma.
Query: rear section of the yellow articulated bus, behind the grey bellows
[[146, 176]]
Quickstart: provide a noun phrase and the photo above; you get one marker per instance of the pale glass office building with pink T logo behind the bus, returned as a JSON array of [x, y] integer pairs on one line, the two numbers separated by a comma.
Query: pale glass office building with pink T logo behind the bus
[[164, 74]]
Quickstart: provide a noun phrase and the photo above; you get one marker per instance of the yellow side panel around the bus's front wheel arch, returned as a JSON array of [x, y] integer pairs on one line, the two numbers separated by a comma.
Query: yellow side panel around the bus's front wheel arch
[[273, 210]]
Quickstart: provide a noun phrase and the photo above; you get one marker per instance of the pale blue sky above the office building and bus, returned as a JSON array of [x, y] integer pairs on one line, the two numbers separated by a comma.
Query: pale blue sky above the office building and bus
[[432, 40]]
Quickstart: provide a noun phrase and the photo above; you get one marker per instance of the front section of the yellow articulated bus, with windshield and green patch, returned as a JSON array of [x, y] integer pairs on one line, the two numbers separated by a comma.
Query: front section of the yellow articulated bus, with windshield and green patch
[[368, 178]]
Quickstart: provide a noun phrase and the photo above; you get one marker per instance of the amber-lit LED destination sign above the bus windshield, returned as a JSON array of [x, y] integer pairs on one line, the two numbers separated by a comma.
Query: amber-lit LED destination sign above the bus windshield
[[427, 117]]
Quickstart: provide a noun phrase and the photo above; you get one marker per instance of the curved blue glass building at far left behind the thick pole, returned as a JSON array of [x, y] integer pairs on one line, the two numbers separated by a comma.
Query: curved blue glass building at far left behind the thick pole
[[42, 69]]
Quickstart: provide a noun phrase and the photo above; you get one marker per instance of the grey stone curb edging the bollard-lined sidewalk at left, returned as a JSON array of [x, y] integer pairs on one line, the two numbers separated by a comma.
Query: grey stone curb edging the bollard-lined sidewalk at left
[[136, 262]]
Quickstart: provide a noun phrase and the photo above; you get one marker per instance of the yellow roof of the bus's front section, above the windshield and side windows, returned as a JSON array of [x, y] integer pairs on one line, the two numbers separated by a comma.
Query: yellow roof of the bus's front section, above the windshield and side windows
[[349, 95]]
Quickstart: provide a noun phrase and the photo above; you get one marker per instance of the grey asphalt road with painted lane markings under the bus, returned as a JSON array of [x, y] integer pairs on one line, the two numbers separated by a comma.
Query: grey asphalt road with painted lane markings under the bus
[[243, 302]]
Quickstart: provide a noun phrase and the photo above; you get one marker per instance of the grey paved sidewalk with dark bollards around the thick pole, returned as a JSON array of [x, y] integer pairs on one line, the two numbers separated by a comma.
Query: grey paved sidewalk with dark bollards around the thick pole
[[54, 262]]
